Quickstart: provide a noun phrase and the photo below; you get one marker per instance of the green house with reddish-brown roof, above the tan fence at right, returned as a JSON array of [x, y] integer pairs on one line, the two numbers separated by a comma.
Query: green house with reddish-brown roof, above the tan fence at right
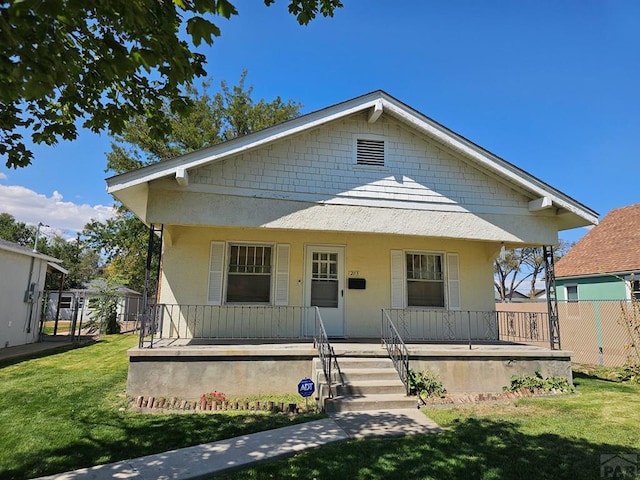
[[602, 264]]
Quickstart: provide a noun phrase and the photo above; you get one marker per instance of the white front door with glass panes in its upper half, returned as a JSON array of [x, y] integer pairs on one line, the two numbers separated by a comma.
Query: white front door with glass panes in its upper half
[[324, 286]]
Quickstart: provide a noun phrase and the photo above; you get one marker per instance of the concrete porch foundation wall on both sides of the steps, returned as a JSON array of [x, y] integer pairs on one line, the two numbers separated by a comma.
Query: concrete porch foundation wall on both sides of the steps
[[188, 374]]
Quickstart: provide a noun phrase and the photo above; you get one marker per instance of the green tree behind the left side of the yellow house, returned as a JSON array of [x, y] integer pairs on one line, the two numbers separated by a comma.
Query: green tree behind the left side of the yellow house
[[210, 120]]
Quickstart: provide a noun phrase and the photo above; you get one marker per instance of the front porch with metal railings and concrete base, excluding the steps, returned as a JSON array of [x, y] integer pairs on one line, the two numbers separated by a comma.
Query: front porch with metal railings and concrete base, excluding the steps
[[187, 350]]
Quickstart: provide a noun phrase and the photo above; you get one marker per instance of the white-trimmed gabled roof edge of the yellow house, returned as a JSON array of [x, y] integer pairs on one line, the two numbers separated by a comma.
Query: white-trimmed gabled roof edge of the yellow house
[[571, 213]]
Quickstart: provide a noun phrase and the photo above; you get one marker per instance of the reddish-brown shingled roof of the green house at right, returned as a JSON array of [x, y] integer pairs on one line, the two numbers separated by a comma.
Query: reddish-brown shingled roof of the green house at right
[[611, 247]]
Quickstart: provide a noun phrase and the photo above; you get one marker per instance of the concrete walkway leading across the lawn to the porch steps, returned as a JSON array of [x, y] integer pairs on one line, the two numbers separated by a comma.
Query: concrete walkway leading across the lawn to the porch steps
[[204, 461]]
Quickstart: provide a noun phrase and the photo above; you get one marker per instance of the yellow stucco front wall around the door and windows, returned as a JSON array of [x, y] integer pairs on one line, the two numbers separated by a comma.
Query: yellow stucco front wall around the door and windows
[[185, 268]]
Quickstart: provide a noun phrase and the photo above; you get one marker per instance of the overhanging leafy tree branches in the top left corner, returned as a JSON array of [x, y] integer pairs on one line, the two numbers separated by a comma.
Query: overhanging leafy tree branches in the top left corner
[[66, 64]]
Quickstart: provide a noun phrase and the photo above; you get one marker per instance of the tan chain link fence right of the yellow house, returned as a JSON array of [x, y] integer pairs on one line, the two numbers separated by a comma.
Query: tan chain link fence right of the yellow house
[[593, 330]]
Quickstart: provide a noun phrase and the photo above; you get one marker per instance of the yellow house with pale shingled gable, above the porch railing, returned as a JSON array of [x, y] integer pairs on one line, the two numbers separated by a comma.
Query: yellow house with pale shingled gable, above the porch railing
[[364, 205]]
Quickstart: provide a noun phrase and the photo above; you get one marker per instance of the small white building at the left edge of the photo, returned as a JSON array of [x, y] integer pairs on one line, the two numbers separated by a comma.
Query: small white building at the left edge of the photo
[[22, 278]]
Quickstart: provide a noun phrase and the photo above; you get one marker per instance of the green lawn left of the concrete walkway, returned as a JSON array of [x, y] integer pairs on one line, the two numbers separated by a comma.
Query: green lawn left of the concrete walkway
[[66, 410]]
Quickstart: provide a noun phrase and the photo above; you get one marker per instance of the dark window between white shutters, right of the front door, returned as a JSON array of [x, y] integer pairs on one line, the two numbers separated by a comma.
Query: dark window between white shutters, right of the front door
[[425, 281]]
